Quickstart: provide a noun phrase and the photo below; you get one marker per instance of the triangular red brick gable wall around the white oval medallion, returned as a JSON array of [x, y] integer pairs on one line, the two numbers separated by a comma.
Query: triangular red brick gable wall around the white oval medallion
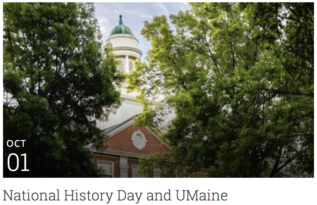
[[122, 142]]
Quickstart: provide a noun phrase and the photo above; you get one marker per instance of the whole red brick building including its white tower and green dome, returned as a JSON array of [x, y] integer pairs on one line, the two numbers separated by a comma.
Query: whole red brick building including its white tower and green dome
[[126, 143]]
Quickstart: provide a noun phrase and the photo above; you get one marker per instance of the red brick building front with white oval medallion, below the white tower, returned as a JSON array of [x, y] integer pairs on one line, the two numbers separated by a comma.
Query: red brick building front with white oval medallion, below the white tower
[[126, 143]]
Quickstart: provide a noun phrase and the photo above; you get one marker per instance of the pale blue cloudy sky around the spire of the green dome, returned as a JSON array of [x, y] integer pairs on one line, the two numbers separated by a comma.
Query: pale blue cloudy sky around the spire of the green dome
[[134, 15]]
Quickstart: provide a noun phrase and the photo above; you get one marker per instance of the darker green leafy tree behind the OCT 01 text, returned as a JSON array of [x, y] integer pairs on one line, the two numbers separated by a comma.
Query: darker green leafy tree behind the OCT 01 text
[[55, 83]]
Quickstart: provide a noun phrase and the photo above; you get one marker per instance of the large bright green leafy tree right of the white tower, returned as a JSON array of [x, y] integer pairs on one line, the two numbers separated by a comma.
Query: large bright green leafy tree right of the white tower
[[238, 78]]
